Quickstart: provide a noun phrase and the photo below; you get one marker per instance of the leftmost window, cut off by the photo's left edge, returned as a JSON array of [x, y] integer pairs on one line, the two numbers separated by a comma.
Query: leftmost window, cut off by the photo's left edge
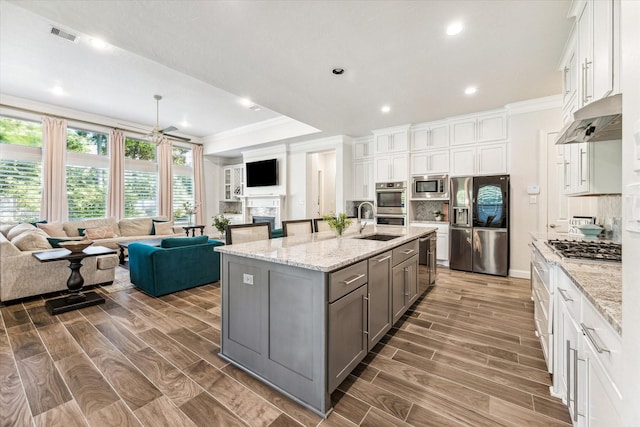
[[20, 169]]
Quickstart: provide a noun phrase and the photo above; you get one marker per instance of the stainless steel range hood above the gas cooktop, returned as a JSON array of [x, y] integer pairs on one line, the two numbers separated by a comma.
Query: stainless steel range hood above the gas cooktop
[[599, 121]]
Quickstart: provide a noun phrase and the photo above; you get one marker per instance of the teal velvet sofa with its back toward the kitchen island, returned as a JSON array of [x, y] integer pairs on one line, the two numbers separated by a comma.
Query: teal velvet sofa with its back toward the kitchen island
[[179, 263]]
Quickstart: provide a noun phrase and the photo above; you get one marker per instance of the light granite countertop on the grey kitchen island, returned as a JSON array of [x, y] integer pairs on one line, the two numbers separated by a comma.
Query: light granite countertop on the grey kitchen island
[[322, 251]]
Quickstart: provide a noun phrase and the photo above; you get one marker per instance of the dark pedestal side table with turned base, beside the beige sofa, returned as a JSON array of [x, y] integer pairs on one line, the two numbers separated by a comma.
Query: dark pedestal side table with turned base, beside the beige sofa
[[75, 299]]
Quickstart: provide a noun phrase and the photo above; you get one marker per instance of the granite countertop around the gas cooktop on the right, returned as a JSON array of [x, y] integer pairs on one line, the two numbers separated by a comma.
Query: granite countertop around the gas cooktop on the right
[[600, 282]]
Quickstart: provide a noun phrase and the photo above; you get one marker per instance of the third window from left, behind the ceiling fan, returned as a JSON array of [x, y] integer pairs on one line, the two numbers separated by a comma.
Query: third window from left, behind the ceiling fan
[[140, 179]]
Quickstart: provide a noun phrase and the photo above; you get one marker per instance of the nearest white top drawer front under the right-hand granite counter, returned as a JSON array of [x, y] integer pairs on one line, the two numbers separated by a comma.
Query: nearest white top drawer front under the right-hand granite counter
[[604, 340]]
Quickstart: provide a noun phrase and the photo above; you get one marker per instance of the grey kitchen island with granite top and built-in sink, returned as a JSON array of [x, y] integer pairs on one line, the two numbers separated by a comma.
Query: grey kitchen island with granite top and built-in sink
[[299, 313]]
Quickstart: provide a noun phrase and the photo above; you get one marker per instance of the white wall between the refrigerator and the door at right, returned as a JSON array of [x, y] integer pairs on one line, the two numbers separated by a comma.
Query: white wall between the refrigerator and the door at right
[[524, 134]]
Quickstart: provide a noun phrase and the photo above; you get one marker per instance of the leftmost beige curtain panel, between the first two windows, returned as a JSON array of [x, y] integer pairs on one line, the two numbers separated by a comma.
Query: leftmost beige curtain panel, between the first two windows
[[54, 206]]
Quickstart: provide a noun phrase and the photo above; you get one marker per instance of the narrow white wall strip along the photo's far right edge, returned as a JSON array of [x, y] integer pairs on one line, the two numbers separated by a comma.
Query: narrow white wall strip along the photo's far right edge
[[630, 35]]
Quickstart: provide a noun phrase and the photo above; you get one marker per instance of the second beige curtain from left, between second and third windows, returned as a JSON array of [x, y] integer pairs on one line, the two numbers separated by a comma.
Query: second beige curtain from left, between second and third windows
[[115, 198]]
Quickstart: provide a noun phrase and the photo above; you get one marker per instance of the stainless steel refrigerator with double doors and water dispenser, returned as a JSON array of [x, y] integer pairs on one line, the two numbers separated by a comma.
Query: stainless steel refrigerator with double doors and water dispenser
[[479, 232]]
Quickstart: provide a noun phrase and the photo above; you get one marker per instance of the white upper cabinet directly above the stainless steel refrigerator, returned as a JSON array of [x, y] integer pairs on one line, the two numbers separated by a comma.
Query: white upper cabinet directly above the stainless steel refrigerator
[[482, 128]]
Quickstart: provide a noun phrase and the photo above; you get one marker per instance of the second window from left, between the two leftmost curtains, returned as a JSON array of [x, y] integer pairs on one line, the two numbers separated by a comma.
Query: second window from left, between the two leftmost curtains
[[87, 174]]
